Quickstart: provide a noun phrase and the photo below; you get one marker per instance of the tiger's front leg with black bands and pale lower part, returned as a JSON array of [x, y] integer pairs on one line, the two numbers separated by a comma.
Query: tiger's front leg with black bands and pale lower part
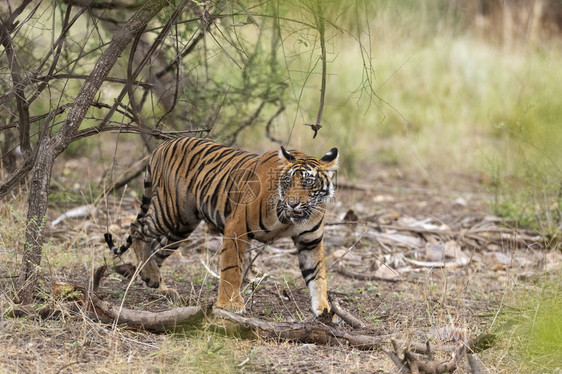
[[313, 269]]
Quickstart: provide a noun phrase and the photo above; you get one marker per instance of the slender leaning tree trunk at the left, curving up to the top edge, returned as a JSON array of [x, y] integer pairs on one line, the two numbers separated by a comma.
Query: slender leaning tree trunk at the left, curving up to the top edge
[[50, 148]]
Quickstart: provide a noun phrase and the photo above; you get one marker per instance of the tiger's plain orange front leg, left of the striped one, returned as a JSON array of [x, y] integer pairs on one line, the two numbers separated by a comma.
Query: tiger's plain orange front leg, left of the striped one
[[232, 254]]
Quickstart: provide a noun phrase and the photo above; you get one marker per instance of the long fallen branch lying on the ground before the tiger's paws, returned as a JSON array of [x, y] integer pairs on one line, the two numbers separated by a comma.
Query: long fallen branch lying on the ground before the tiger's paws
[[179, 319]]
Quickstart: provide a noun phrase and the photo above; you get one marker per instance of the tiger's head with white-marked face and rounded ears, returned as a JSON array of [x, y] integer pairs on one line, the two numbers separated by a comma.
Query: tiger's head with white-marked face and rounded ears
[[305, 185]]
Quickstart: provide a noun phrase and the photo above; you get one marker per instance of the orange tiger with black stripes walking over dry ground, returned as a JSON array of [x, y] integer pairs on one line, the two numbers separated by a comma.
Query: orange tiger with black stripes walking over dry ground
[[242, 195]]
